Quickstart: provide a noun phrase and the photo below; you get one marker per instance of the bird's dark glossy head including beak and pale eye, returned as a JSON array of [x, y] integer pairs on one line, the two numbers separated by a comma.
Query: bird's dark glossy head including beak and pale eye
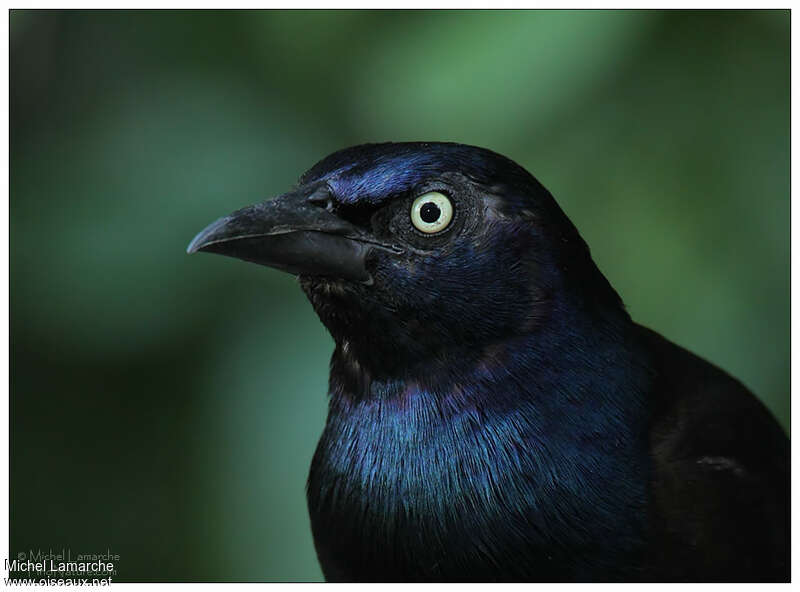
[[413, 252]]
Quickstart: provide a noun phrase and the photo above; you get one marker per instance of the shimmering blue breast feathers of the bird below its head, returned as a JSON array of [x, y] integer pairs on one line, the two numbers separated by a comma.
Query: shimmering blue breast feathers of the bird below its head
[[460, 467]]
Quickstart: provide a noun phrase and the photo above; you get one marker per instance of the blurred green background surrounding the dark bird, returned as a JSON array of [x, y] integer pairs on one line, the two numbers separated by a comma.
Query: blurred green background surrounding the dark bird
[[166, 407]]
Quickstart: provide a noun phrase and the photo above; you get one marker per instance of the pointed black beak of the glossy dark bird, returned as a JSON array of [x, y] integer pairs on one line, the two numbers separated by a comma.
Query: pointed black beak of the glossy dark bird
[[296, 232]]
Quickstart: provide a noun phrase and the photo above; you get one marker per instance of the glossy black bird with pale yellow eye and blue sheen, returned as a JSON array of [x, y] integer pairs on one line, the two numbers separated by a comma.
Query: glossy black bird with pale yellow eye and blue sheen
[[494, 413]]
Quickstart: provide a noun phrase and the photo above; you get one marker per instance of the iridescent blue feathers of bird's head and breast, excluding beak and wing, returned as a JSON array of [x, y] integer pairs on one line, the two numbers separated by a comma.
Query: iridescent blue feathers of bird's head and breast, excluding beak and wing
[[486, 419]]
